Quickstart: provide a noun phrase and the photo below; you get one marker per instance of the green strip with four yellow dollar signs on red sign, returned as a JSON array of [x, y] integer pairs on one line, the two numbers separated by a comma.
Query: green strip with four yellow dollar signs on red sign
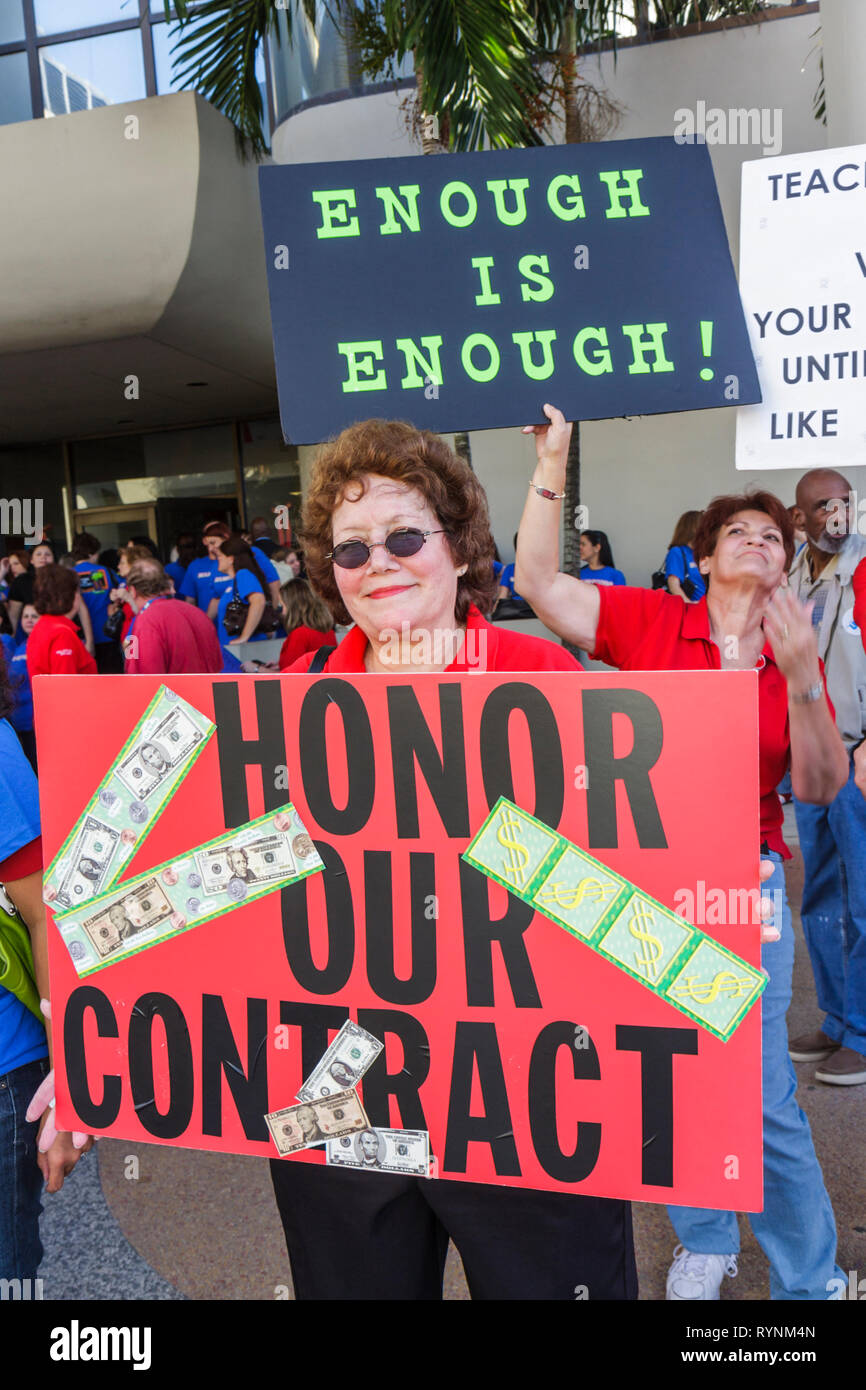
[[608, 914]]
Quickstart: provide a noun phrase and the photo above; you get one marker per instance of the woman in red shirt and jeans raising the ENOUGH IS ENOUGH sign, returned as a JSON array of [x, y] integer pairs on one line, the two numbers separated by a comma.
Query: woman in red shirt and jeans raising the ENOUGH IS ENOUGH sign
[[749, 621]]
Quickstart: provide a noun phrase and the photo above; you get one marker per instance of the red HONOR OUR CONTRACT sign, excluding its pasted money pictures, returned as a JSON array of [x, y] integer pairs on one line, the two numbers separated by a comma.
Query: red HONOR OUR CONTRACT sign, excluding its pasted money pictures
[[532, 1060]]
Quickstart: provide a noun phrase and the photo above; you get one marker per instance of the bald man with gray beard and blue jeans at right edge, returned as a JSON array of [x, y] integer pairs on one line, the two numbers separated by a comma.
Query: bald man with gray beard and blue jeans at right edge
[[833, 839]]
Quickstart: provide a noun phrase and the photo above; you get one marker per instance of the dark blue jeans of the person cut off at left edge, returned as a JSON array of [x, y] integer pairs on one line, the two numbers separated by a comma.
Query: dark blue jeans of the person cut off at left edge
[[20, 1177]]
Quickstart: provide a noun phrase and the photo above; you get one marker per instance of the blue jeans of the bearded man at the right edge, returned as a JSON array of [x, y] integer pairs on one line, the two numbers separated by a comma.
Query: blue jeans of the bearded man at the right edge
[[833, 840]]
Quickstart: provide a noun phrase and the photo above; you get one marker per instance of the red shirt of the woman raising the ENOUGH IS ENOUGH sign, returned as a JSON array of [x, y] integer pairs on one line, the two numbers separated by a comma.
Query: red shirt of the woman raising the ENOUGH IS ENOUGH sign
[[646, 630]]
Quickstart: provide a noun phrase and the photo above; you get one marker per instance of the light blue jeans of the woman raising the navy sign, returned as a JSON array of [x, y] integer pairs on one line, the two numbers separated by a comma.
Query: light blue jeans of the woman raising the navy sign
[[796, 1231]]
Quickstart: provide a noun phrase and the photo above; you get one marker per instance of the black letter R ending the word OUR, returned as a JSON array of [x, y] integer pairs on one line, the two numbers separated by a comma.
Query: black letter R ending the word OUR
[[479, 935]]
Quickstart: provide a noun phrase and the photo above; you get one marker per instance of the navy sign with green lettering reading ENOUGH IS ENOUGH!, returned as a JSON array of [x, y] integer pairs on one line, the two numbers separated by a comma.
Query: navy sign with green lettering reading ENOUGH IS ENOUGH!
[[464, 291]]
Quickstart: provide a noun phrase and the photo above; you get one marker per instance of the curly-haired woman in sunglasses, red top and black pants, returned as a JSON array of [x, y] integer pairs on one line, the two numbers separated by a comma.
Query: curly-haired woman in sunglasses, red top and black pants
[[398, 543]]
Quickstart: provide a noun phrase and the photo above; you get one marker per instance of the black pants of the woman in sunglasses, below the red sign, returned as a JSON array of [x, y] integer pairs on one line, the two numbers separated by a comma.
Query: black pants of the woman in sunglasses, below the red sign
[[379, 1236]]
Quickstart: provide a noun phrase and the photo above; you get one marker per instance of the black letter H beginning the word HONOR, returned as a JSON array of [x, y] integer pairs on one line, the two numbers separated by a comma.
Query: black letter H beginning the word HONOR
[[237, 753]]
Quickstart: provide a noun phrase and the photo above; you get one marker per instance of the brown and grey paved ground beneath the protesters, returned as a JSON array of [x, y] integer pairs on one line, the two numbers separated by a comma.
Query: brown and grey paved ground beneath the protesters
[[140, 1221]]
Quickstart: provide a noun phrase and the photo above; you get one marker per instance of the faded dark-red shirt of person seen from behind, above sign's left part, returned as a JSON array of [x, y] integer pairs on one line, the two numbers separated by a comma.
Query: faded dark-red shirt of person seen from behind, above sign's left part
[[172, 637]]
